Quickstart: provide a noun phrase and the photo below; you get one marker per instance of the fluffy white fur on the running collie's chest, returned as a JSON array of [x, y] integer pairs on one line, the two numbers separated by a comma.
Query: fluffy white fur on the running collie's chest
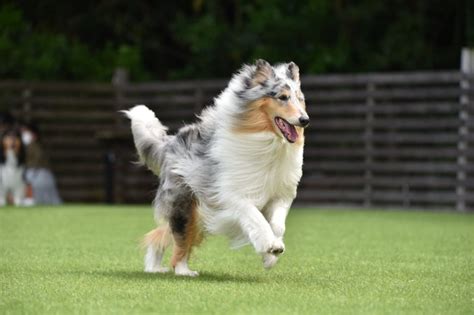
[[257, 167]]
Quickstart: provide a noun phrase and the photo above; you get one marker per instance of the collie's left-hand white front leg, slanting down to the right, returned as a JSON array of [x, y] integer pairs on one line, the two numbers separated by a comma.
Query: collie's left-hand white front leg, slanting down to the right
[[256, 227]]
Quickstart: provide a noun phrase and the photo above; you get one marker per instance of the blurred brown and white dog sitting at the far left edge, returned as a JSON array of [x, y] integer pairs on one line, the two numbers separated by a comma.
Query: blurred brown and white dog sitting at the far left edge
[[12, 168]]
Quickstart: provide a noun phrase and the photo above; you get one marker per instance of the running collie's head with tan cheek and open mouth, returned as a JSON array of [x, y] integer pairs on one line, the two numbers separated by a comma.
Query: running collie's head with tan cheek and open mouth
[[273, 100]]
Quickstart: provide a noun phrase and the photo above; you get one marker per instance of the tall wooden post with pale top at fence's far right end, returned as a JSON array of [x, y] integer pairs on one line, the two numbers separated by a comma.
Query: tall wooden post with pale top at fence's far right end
[[467, 67]]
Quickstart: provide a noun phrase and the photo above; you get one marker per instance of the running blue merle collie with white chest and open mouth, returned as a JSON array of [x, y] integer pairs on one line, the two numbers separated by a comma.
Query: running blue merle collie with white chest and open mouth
[[234, 172]]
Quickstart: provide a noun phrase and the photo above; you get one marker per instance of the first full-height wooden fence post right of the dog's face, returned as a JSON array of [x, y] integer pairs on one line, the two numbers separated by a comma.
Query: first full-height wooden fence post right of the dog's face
[[369, 147]]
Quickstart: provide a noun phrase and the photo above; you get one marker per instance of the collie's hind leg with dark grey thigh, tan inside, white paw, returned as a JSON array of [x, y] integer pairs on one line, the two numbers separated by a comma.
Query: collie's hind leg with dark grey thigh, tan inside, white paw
[[184, 224]]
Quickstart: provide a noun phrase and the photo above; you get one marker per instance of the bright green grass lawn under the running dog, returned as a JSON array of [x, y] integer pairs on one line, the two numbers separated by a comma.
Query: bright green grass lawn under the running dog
[[85, 259]]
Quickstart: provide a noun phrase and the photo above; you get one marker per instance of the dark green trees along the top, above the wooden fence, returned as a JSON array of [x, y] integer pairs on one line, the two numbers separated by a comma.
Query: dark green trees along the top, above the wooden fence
[[87, 40]]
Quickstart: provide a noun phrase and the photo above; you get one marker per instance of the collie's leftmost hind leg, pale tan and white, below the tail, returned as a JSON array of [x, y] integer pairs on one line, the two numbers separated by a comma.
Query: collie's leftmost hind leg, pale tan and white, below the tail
[[156, 242]]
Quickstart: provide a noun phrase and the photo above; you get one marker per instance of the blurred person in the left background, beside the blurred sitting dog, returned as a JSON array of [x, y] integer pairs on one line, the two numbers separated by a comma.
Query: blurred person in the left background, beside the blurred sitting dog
[[38, 174]]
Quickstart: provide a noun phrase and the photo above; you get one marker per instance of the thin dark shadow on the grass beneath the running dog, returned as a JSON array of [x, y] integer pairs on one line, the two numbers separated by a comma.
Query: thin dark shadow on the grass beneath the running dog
[[140, 275]]
